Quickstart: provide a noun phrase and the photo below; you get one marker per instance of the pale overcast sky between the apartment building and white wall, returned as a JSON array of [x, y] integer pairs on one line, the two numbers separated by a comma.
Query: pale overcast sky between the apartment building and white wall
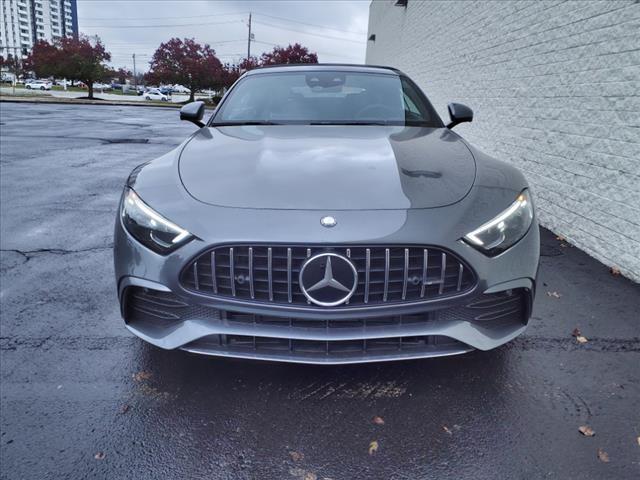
[[334, 29]]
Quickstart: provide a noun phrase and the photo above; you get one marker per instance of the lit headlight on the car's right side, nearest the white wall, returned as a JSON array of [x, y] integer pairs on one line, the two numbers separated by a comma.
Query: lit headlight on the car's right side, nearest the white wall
[[497, 235]]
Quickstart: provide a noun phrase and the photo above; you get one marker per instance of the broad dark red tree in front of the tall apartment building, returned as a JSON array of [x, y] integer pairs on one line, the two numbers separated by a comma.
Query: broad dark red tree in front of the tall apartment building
[[81, 58]]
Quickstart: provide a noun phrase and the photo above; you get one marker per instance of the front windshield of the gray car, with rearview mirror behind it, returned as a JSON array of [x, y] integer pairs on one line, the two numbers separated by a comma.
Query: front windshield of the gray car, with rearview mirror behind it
[[326, 98]]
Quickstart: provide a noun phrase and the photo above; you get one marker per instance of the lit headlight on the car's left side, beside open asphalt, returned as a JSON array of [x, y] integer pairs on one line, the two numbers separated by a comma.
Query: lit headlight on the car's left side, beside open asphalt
[[149, 227]]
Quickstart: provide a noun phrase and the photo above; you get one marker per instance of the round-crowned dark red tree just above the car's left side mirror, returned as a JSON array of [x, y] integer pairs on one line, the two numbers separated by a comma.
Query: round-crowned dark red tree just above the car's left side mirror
[[188, 63]]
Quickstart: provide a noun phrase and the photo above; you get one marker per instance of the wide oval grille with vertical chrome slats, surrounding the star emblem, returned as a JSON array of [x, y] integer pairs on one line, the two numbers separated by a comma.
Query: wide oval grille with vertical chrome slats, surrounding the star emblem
[[386, 274]]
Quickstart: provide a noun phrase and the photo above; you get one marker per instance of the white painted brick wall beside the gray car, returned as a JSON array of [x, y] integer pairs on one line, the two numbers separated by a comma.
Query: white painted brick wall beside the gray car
[[555, 89]]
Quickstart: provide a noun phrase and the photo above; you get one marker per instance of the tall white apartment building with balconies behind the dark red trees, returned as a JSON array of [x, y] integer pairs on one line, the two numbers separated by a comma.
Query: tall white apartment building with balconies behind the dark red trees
[[26, 21]]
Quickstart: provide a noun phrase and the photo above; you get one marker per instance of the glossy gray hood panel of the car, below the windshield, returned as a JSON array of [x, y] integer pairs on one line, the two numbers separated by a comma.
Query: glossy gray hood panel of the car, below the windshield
[[327, 168]]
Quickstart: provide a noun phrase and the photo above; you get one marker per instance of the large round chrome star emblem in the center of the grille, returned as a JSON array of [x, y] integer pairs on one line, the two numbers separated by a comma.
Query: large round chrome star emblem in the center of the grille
[[328, 279]]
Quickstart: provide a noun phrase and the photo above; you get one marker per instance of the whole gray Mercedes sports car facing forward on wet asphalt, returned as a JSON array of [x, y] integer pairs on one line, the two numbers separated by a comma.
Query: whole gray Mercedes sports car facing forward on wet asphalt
[[326, 214]]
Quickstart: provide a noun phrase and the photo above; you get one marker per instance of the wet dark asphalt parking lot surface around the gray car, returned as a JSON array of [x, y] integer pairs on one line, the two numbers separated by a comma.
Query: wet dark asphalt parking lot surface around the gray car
[[82, 398]]
